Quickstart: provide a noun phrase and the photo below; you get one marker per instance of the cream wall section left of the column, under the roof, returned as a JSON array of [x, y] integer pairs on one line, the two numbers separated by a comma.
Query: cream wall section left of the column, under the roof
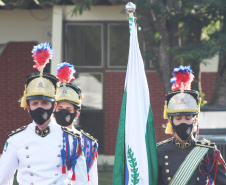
[[25, 25]]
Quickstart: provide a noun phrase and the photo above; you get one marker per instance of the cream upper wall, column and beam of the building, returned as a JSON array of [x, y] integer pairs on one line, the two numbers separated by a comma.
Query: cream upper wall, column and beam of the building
[[46, 25]]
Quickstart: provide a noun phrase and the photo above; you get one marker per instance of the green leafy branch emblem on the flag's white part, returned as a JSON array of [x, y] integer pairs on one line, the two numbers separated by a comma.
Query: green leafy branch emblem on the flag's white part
[[133, 164]]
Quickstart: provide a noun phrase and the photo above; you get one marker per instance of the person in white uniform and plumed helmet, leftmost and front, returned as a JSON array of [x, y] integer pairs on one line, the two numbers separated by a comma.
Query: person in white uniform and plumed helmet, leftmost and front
[[42, 152]]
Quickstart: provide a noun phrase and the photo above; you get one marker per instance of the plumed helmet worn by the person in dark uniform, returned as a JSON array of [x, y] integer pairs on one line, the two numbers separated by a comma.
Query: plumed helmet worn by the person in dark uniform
[[182, 100]]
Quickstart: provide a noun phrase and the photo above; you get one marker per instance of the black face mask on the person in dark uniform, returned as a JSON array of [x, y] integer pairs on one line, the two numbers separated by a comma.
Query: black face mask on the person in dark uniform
[[183, 130]]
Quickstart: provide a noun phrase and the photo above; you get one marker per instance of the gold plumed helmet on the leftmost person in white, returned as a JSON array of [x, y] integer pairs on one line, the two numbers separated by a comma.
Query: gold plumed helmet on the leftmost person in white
[[40, 85]]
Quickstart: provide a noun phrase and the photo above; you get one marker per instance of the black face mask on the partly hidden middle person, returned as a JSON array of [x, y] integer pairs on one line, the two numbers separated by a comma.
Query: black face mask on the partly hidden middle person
[[64, 117]]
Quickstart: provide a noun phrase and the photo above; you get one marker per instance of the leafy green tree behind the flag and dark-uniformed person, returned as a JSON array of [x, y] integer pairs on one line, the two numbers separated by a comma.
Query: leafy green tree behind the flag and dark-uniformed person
[[173, 31]]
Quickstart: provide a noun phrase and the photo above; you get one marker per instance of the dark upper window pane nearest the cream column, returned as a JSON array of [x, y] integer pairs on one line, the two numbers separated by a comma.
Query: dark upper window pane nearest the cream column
[[83, 44]]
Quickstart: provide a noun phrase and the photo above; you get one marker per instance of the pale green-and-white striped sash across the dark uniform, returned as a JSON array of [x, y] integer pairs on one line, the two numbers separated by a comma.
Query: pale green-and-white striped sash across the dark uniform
[[187, 168]]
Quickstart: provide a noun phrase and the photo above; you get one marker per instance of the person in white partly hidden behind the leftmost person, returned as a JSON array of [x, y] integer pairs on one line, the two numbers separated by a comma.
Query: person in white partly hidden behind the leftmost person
[[69, 100]]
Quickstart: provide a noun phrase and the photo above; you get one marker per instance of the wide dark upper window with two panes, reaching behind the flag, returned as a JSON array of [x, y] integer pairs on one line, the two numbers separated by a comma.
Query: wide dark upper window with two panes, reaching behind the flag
[[98, 45]]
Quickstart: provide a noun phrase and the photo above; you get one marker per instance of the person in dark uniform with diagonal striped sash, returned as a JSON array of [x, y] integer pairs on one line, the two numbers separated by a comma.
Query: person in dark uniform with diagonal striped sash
[[182, 159]]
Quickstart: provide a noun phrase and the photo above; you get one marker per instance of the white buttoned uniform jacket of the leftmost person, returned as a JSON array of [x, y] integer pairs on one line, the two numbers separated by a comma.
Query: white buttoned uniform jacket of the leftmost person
[[38, 159]]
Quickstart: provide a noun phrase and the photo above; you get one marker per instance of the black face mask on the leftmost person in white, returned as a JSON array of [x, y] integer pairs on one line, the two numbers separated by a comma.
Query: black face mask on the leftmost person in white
[[40, 115]]
